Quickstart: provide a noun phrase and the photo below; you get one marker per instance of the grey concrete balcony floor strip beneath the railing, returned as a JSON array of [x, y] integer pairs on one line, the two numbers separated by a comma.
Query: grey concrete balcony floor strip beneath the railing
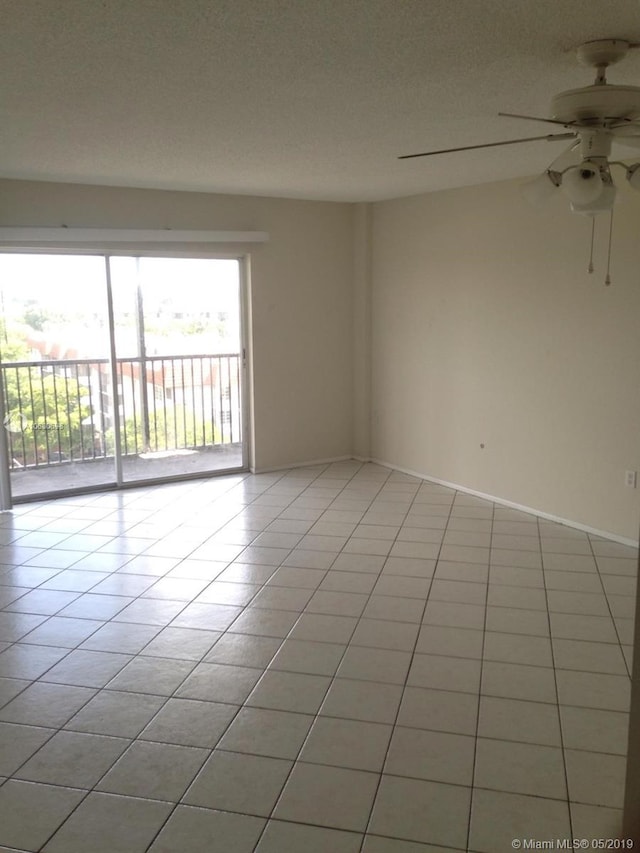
[[73, 476]]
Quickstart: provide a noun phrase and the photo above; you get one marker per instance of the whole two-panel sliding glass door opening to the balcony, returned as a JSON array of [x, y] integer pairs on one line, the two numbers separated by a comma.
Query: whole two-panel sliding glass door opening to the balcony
[[119, 369]]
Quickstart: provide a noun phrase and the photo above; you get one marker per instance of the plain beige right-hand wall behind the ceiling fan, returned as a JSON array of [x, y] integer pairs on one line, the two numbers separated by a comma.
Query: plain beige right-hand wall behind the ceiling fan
[[488, 330]]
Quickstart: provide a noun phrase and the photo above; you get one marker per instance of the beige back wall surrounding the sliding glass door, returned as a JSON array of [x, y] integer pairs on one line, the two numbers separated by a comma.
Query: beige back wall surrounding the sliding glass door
[[301, 298]]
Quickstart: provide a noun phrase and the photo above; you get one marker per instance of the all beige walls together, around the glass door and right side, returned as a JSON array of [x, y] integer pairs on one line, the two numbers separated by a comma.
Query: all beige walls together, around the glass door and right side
[[482, 324]]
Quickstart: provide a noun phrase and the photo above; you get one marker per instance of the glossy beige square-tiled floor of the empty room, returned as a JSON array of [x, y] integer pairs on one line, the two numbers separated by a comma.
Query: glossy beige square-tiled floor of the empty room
[[327, 660]]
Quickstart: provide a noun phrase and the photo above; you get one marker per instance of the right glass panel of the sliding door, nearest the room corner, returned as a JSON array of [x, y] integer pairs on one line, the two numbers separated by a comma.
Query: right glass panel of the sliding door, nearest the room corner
[[177, 331]]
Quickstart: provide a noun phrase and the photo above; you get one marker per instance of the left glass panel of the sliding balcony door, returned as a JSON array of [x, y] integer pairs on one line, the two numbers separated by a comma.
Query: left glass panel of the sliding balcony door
[[54, 358]]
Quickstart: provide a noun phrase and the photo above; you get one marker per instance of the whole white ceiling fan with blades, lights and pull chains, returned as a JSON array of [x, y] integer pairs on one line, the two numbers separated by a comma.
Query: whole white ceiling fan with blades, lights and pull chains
[[596, 118]]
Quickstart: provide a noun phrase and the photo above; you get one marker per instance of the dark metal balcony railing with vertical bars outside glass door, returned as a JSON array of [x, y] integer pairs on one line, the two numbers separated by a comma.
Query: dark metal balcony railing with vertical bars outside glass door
[[61, 411]]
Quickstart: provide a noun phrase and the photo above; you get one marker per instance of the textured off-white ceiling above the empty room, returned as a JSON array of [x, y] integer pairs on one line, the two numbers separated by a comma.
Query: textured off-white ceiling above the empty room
[[297, 98]]
